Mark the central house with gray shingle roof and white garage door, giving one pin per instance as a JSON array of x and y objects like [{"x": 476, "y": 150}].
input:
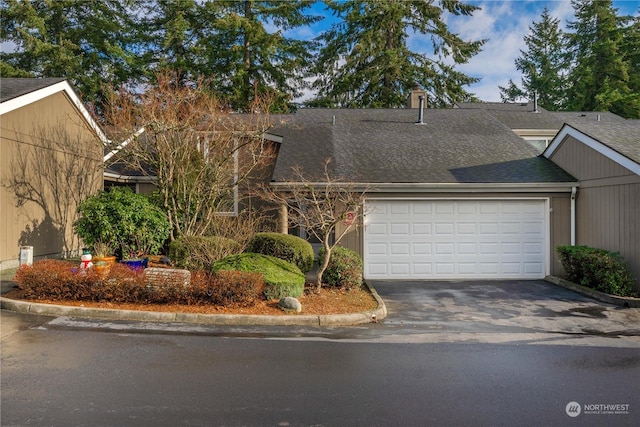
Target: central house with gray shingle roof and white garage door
[{"x": 454, "y": 193}]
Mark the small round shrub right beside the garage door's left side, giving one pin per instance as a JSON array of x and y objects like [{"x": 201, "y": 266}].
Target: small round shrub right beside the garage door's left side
[{"x": 344, "y": 269}]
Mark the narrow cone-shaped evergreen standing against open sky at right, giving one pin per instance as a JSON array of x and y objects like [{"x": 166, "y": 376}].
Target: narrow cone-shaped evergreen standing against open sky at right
[{"x": 542, "y": 65}]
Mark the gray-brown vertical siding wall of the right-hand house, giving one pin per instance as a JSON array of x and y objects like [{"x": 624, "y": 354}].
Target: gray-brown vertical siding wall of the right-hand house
[{"x": 608, "y": 201}]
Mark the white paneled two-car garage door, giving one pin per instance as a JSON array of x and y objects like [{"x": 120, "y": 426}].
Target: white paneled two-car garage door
[{"x": 455, "y": 239}]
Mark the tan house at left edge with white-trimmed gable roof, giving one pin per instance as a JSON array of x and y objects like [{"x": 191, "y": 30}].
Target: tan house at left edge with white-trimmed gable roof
[{"x": 50, "y": 159}]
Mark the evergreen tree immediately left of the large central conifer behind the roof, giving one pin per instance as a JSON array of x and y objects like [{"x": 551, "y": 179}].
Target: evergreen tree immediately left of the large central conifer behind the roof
[{"x": 249, "y": 61}]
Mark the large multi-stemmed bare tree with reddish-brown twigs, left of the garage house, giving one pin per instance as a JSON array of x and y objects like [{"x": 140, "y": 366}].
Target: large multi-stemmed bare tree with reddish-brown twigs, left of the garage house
[{"x": 199, "y": 151}]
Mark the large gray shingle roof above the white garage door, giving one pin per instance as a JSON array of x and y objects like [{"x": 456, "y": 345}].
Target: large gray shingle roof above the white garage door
[{"x": 387, "y": 146}]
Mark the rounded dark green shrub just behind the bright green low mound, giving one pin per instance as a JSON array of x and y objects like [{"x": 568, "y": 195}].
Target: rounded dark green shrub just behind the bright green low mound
[{"x": 284, "y": 246}]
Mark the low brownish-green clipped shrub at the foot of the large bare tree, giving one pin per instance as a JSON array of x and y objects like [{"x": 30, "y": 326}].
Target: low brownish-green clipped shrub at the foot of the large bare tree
[{"x": 200, "y": 252}]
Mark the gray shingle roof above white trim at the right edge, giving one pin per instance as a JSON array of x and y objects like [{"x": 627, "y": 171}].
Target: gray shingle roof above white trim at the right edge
[{"x": 621, "y": 136}]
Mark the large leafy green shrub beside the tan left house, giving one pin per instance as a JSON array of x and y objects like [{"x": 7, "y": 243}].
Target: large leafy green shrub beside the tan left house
[{"x": 122, "y": 219}]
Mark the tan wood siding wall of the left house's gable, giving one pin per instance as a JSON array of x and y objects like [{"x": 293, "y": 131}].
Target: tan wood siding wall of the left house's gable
[{"x": 25, "y": 132}]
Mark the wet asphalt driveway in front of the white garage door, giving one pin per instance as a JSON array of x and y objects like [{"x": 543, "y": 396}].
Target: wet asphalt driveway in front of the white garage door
[{"x": 503, "y": 307}]
